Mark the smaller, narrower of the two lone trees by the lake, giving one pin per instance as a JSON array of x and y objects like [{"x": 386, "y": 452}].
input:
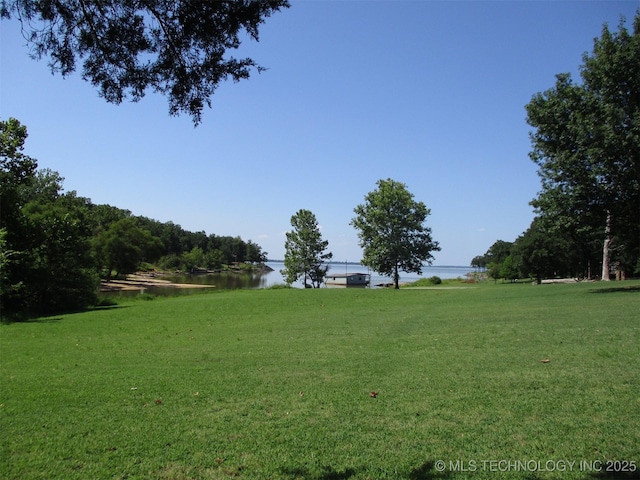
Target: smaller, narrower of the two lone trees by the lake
[{"x": 305, "y": 255}]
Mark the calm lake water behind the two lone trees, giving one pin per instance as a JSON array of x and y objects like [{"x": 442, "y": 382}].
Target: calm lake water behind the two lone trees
[{"x": 226, "y": 281}]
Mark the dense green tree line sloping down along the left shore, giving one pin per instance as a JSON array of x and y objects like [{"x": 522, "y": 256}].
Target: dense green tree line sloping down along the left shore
[{"x": 55, "y": 246}]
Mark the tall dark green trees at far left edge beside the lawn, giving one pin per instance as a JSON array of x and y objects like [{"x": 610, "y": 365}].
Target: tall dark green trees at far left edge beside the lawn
[{"x": 45, "y": 260}]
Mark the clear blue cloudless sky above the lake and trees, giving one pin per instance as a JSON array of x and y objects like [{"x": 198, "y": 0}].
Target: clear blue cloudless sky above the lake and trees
[{"x": 429, "y": 93}]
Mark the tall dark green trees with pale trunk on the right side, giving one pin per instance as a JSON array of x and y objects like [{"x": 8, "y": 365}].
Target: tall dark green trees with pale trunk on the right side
[{"x": 586, "y": 144}]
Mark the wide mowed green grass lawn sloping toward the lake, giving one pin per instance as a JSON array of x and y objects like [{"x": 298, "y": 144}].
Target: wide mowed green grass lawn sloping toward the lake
[{"x": 277, "y": 384}]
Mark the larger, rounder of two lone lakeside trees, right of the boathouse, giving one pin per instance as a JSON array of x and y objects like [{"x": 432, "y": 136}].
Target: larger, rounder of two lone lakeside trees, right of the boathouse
[{"x": 392, "y": 231}]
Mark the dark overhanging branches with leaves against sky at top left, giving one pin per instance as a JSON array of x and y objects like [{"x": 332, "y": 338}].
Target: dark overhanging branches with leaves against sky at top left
[{"x": 178, "y": 49}]
